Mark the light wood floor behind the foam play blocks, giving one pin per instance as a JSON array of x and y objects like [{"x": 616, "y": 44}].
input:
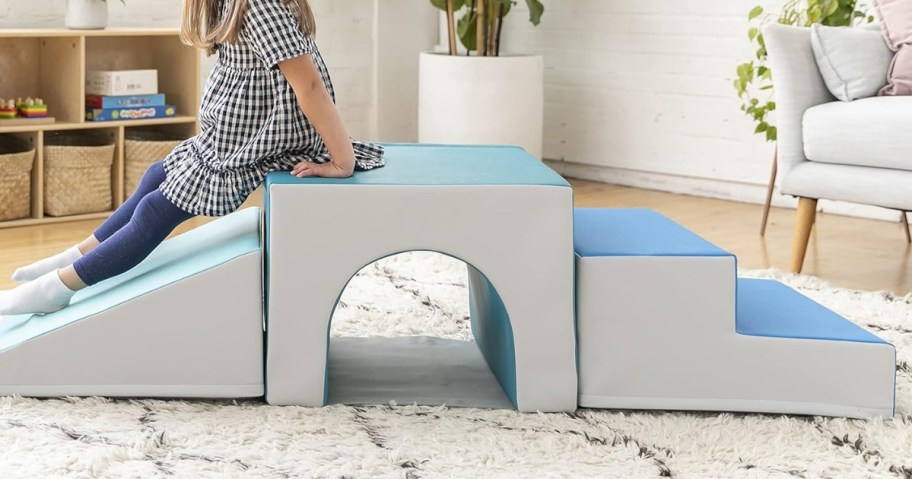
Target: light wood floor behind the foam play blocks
[{"x": 847, "y": 252}]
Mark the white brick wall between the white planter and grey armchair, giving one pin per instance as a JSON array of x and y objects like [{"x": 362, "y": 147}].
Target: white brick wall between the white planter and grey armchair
[{"x": 645, "y": 86}]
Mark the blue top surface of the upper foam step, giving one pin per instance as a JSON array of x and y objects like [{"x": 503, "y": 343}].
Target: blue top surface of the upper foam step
[{"x": 635, "y": 232}]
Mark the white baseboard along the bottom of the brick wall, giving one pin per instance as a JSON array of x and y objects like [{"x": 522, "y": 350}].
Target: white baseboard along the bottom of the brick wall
[{"x": 709, "y": 188}]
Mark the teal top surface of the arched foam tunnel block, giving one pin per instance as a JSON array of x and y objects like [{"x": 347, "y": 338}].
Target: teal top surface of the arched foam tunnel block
[{"x": 413, "y": 164}]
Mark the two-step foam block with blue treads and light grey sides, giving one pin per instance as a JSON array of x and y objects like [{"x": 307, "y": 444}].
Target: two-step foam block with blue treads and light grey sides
[{"x": 660, "y": 327}]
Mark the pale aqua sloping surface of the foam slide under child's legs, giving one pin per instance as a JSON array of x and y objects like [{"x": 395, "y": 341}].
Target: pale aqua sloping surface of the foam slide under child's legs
[{"x": 198, "y": 250}]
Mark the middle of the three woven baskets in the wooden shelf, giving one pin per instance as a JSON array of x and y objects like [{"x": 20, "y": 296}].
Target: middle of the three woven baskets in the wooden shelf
[{"x": 77, "y": 174}]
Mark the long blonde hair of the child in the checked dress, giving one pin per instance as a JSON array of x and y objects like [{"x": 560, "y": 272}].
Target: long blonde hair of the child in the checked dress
[{"x": 204, "y": 26}]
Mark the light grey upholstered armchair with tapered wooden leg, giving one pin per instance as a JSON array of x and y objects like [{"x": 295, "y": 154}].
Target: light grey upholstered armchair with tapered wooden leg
[{"x": 858, "y": 151}]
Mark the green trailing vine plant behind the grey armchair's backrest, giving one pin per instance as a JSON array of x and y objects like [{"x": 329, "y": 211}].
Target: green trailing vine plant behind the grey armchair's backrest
[{"x": 754, "y": 81}]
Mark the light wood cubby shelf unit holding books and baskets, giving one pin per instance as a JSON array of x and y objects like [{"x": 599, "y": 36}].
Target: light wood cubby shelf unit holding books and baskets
[{"x": 52, "y": 63}]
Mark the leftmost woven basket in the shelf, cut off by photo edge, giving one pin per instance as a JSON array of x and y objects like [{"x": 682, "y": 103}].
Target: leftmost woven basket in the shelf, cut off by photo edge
[{"x": 16, "y": 159}]
